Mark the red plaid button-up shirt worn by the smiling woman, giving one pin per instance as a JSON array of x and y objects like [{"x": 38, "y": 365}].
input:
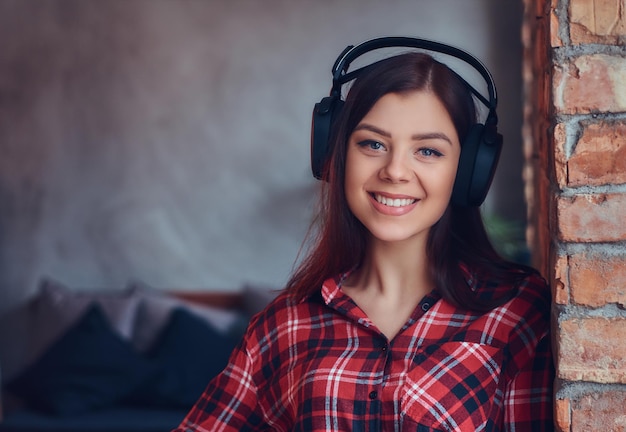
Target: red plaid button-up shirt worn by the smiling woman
[{"x": 322, "y": 365}]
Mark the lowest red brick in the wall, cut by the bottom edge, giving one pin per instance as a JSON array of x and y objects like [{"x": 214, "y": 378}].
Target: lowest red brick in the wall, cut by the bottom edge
[{"x": 604, "y": 411}]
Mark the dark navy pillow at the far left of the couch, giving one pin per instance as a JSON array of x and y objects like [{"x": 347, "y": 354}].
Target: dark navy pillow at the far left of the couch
[{"x": 90, "y": 366}]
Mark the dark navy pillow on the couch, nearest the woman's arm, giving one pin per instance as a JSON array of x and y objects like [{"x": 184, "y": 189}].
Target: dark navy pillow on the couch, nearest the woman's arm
[{"x": 189, "y": 353}]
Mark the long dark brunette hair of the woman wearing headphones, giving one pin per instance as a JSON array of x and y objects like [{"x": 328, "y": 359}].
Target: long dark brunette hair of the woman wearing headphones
[{"x": 458, "y": 239}]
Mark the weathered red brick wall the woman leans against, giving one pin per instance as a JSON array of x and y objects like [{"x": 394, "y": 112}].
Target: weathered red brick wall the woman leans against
[{"x": 575, "y": 149}]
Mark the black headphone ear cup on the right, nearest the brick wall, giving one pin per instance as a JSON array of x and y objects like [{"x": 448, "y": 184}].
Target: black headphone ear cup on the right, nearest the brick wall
[{"x": 480, "y": 153}]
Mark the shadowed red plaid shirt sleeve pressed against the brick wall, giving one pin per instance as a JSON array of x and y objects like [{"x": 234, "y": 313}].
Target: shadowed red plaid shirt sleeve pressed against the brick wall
[{"x": 528, "y": 398}]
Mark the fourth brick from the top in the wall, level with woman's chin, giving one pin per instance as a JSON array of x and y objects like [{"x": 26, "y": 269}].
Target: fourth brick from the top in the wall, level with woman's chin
[{"x": 592, "y": 217}]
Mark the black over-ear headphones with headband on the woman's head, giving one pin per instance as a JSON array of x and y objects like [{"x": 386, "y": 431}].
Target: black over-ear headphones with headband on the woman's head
[{"x": 480, "y": 150}]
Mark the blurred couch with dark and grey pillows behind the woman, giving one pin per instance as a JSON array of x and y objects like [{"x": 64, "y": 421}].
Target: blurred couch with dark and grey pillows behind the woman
[{"x": 128, "y": 360}]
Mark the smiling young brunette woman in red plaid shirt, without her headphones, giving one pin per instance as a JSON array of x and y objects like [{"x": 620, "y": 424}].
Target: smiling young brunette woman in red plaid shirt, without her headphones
[{"x": 402, "y": 317}]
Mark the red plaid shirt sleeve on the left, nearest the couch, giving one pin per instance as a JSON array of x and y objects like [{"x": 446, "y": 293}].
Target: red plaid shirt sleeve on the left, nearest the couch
[{"x": 229, "y": 403}]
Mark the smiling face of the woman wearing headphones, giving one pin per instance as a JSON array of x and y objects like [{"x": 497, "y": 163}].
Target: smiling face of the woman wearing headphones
[{"x": 401, "y": 164}]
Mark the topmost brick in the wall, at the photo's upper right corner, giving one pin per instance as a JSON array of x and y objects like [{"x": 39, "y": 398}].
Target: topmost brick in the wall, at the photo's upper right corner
[{"x": 597, "y": 21}]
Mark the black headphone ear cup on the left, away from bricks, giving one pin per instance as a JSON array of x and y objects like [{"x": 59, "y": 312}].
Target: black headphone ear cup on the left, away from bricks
[{"x": 325, "y": 113}]
